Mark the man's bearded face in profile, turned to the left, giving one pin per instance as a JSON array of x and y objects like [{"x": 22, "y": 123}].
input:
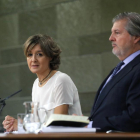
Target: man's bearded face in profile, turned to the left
[{"x": 122, "y": 41}]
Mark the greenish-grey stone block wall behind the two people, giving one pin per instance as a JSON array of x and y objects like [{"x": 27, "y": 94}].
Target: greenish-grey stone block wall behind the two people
[{"x": 80, "y": 27}]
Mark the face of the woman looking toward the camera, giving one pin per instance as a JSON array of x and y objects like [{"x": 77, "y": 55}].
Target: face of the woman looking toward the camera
[{"x": 37, "y": 61}]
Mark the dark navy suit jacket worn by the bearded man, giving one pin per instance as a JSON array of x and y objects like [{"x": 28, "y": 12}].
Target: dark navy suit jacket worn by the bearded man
[{"x": 118, "y": 107}]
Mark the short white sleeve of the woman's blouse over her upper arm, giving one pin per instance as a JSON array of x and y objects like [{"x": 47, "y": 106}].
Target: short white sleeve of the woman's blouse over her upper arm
[{"x": 64, "y": 90}]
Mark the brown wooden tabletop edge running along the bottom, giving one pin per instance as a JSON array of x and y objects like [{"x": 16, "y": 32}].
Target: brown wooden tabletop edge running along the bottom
[{"x": 73, "y": 136}]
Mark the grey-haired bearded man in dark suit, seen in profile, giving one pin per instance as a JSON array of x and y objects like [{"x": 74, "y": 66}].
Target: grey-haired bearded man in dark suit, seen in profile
[{"x": 117, "y": 104}]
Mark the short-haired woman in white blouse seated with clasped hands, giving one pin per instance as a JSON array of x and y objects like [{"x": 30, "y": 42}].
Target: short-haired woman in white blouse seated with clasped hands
[{"x": 54, "y": 90}]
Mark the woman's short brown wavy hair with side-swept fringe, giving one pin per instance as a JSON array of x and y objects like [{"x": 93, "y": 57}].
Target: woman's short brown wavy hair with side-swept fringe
[{"x": 48, "y": 46}]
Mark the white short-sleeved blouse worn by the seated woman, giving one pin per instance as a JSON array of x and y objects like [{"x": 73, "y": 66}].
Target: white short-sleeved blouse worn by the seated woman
[{"x": 58, "y": 90}]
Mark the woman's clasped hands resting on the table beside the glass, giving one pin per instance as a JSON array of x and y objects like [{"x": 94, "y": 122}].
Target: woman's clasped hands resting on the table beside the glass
[{"x": 10, "y": 124}]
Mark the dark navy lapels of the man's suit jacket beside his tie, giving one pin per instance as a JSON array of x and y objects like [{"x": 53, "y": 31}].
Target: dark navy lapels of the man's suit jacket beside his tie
[{"x": 114, "y": 81}]
